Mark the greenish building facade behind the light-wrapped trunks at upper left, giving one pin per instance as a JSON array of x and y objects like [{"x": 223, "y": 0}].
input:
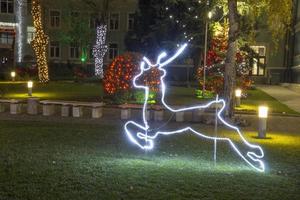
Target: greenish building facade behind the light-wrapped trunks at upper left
[{"x": 17, "y": 31}]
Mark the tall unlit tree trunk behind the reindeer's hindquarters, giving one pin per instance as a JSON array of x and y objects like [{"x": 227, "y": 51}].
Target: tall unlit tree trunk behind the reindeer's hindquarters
[{"x": 230, "y": 68}]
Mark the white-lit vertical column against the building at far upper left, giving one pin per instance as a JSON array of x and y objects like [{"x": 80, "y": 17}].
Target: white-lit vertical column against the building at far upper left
[{"x": 20, "y": 6}]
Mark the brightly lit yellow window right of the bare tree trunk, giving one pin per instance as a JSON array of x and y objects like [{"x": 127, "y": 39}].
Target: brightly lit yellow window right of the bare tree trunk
[{"x": 258, "y": 62}]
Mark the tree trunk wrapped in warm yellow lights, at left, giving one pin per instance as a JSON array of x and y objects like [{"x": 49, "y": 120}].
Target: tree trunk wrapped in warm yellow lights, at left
[{"x": 40, "y": 42}]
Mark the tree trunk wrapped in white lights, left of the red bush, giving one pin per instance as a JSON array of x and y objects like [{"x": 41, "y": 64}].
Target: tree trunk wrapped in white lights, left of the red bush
[{"x": 100, "y": 49}]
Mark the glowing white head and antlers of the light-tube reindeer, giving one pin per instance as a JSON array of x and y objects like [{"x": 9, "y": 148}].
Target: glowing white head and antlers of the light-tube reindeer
[{"x": 146, "y": 66}]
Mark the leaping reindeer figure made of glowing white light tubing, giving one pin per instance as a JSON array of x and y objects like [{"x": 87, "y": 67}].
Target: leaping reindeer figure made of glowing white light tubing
[{"x": 143, "y": 135}]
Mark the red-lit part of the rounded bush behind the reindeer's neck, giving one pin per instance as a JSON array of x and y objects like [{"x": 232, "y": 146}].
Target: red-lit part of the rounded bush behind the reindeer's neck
[{"x": 119, "y": 75}]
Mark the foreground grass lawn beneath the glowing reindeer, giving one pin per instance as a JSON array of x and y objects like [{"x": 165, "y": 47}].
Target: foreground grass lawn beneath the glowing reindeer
[{"x": 47, "y": 160}]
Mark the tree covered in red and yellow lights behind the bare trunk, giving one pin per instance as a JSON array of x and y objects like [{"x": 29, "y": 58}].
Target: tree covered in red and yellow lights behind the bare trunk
[{"x": 215, "y": 68}]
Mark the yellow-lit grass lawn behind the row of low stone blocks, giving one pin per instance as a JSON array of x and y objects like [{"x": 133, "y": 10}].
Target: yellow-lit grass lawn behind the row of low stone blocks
[{"x": 94, "y": 92}]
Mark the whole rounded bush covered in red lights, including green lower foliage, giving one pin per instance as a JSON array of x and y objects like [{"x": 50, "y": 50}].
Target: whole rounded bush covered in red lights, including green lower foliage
[{"x": 118, "y": 78}]
